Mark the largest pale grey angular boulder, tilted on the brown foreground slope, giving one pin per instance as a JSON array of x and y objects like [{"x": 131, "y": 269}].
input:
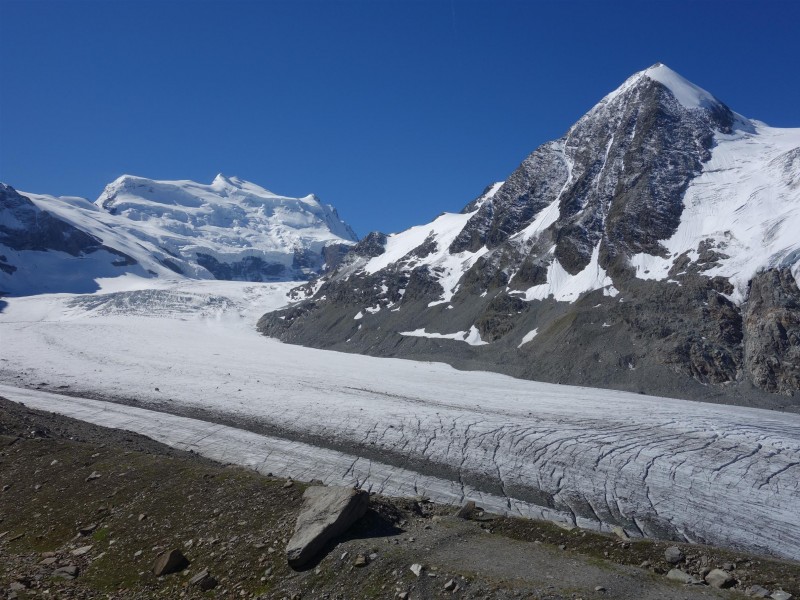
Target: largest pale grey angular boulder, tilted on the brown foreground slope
[{"x": 326, "y": 513}]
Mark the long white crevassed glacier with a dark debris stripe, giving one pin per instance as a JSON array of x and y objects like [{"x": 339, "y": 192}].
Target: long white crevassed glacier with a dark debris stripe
[{"x": 596, "y": 458}]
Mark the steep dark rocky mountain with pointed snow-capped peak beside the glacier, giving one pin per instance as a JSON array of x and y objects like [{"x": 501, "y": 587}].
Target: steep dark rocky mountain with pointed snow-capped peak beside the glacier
[{"x": 653, "y": 248}]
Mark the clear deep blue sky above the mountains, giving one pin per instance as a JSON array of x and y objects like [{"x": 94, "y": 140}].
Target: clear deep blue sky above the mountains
[{"x": 391, "y": 111}]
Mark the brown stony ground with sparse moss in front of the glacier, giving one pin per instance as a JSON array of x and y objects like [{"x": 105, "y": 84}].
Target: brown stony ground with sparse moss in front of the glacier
[{"x": 67, "y": 485}]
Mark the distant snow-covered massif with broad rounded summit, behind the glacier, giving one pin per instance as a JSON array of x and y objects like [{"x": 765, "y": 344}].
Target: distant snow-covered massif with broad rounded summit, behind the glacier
[{"x": 230, "y": 229}]
